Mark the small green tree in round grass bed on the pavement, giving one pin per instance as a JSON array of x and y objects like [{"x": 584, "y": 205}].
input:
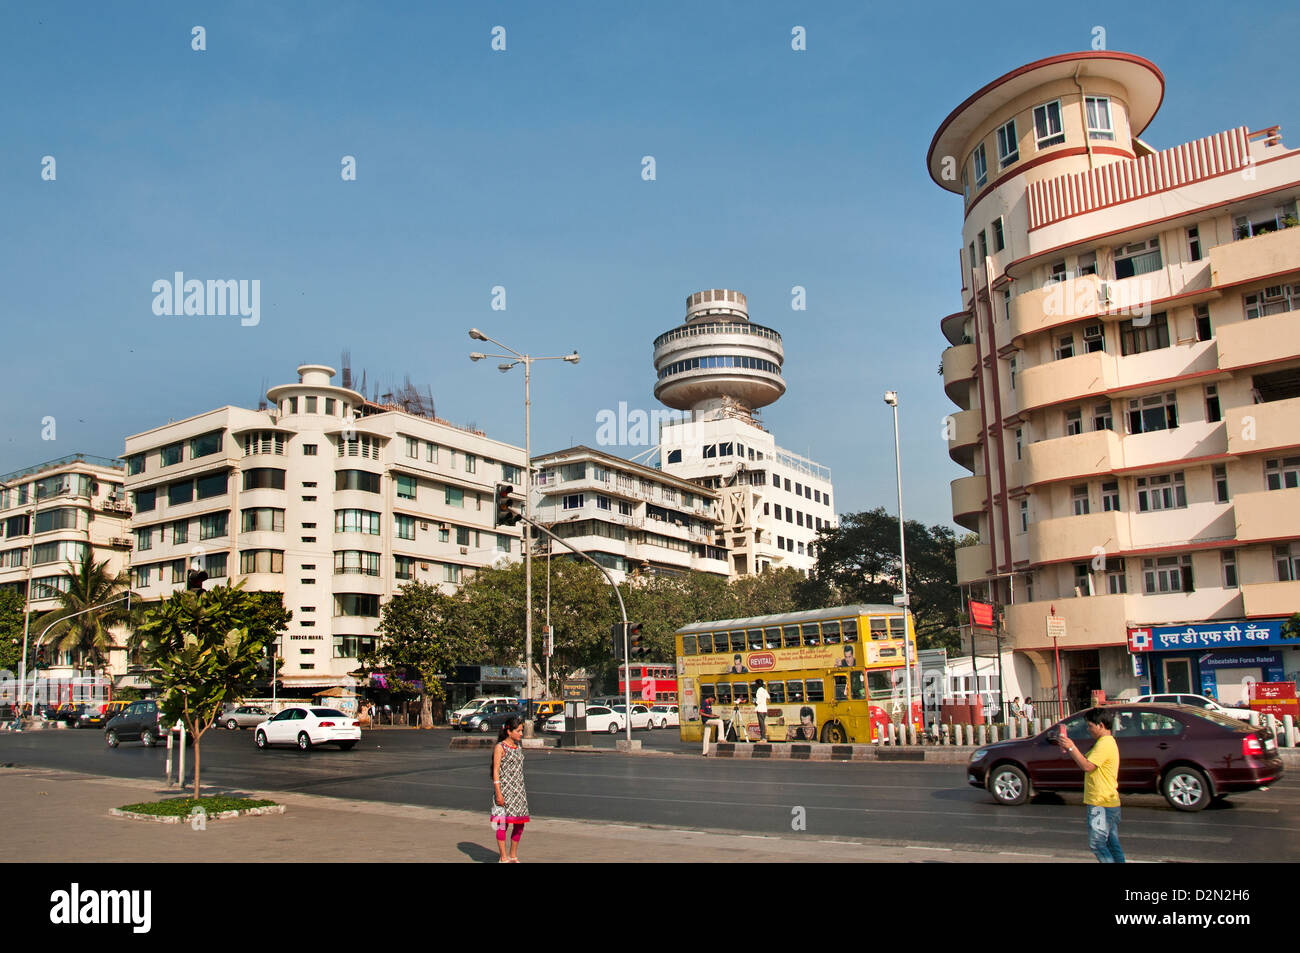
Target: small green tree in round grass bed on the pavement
[{"x": 209, "y": 648}]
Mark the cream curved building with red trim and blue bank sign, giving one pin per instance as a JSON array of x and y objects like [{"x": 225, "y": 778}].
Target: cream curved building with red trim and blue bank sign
[{"x": 1126, "y": 371}]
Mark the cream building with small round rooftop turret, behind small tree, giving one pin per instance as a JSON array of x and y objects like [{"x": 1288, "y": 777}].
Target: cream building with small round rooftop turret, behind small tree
[{"x": 330, "y": 499}]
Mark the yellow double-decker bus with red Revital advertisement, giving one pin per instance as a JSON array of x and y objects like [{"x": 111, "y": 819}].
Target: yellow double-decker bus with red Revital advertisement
[{"x": 833, "y": 675}]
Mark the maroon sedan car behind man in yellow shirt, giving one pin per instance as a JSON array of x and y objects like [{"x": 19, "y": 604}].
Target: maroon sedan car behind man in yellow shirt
[{"x": 1190, "y": 756}]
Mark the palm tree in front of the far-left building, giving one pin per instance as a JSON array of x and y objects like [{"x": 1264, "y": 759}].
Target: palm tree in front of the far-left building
[{"x": 88, "y": 635}]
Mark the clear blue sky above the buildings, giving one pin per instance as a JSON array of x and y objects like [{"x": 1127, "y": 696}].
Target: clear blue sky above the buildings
[{"x": 523, "y": 170}]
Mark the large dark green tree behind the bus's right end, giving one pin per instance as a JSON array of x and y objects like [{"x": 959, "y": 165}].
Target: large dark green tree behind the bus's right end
[{"x": 859, "y": 562}]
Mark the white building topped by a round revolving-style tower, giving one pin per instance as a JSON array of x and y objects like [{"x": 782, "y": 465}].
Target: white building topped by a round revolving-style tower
[{"x": 721, "y": 367}]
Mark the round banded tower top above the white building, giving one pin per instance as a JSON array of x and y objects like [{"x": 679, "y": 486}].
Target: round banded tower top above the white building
[{"x": 718, "y": 357}]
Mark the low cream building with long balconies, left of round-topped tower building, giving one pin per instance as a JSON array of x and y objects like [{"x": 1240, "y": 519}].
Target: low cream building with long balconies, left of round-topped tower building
[{"x": 626, "y": 517}]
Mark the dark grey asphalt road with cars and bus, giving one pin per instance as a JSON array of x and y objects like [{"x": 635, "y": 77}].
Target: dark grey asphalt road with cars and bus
[{"x": 929, "y": 807}]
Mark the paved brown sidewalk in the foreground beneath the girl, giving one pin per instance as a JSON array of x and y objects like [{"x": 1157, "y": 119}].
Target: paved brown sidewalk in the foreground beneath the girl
[{"x": 67, "y": 821}]
